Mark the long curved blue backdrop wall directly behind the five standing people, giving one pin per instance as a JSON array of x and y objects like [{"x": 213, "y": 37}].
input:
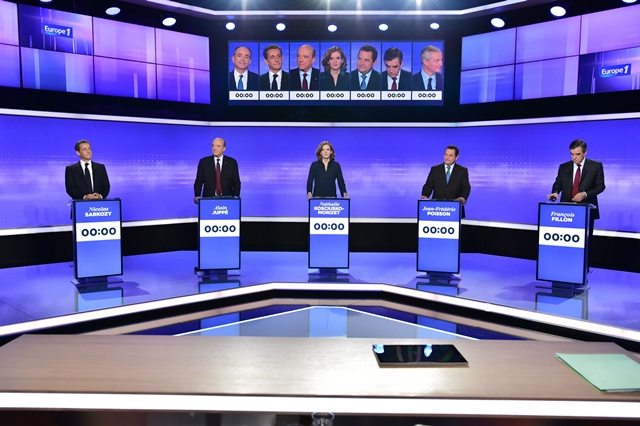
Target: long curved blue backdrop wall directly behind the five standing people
[{"x": 32, "y": 190}]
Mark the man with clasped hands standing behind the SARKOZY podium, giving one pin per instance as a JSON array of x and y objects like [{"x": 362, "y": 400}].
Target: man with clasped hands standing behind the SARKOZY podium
[{"x": 86, "y": 179}]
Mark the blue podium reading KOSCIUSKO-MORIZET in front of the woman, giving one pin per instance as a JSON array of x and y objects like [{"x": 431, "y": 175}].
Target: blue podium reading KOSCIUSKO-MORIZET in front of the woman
[{"x": 329, "y": 234}]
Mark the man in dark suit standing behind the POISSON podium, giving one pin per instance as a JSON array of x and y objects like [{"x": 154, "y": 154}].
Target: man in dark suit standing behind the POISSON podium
[{"x": 448, "y": 180}]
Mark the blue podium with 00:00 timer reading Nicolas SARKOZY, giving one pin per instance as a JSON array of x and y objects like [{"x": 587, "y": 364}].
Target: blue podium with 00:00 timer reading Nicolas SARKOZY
[{"x": 97, "y": 245}]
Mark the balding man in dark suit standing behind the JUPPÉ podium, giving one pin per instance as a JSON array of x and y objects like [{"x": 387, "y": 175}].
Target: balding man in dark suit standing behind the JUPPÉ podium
[{"x": 218, "y": 173}]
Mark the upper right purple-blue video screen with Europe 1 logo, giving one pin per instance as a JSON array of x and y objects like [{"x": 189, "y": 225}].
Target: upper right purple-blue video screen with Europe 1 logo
[{"x": 587, "y": 54}]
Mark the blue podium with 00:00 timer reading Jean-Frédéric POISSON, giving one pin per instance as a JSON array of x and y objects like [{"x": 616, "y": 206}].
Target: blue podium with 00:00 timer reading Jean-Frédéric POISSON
[{"x": 439, "y": 237}]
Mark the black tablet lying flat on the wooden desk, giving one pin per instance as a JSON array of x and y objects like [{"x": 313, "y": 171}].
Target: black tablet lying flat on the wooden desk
[{"x": 418, "y": 355}]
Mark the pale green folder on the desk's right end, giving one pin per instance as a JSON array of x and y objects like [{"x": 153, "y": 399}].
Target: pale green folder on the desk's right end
[{"x": 606, "y": 372}]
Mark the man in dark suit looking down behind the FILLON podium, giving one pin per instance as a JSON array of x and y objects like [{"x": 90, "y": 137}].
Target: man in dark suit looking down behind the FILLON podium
[{"x": 590, "y": 180}]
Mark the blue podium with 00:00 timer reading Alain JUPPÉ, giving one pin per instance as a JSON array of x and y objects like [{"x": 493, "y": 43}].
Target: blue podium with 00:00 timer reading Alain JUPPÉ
[{"x": 218, "y": 235}]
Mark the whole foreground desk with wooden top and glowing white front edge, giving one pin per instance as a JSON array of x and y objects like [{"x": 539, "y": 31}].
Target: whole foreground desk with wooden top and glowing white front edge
[{"x": 505, "y": 380}]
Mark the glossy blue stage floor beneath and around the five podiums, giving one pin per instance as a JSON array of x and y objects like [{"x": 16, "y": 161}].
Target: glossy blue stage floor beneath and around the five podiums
[{"x": 37, "y": 292}]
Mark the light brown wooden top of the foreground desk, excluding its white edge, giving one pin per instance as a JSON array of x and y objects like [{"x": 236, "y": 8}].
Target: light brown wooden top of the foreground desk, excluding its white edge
[{"x": 291, "y": 367}]
